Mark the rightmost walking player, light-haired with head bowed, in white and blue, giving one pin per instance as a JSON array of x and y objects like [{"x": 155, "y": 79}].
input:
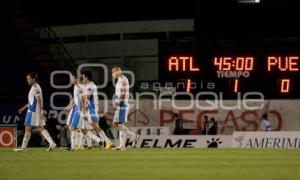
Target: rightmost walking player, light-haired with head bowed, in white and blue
[{"x": 121, "y": 107}]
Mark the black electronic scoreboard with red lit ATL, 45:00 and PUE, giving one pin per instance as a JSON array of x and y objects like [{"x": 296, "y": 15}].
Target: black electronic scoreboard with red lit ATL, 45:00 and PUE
[{"x": 232, "y": 67}]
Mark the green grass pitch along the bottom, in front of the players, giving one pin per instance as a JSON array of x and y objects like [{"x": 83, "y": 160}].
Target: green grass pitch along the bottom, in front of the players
[{"x": 144, "y": 164}]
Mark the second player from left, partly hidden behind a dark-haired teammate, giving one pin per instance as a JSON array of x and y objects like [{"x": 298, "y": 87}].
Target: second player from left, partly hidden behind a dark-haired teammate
[{"x": 77, "y": 108}]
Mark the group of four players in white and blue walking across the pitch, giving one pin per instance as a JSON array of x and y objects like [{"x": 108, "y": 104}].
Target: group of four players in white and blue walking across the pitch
[{"x": 83, "y": 111}]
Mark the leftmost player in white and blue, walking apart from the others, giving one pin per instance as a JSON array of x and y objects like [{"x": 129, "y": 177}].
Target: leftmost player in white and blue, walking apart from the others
[{"x": 34, "y": 115}]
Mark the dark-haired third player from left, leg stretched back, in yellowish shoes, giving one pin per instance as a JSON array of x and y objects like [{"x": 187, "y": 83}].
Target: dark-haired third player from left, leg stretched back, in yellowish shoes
[{"x": 91, "y": 97}]
